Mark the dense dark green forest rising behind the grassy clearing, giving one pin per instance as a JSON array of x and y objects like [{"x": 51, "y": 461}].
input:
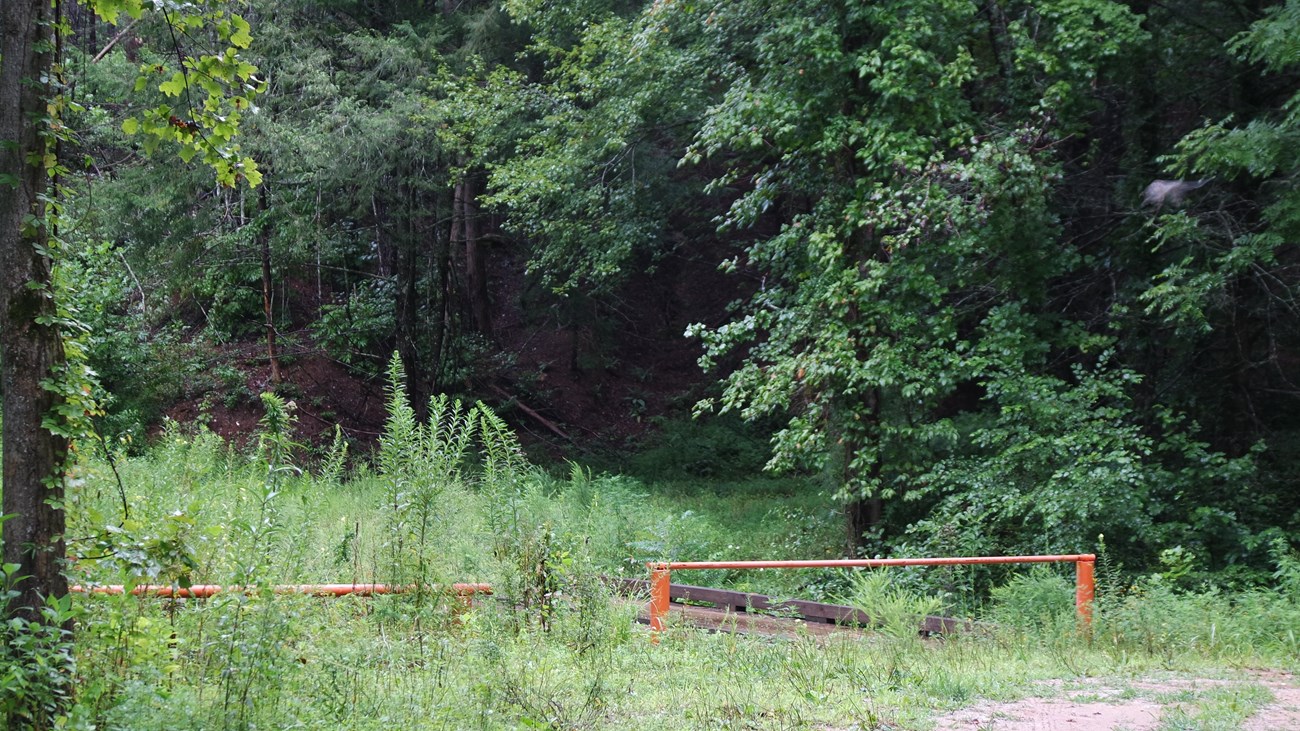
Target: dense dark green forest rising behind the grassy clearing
[{"x": 1004, "y": 276}]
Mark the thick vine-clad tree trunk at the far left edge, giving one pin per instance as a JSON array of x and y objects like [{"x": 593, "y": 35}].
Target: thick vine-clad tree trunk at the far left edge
[{"x": 29, "y": 349}]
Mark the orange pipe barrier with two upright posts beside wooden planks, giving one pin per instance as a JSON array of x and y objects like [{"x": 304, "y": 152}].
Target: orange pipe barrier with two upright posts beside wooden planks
[{"x": 661, "y": 576}]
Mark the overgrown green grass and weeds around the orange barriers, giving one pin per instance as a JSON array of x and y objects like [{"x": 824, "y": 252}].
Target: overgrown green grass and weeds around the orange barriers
[{"x": 554, "y": 648}]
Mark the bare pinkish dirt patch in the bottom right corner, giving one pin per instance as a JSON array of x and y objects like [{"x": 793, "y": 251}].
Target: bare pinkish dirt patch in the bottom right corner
[{"x": 1139, "y": 707}]
